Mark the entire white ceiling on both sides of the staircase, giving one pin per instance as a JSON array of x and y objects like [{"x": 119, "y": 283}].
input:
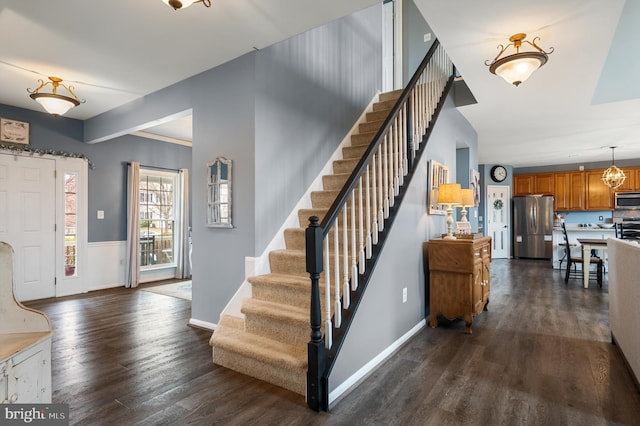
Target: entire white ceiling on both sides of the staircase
[{"x": 584, "y": 100}]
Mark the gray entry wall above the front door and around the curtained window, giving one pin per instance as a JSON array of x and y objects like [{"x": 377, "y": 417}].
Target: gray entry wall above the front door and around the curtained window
[{"x": 107, "y": 179}]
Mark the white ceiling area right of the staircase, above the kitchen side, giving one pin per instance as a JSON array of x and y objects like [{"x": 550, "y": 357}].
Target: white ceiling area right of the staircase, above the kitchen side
[{"x": 584, "y": 100}]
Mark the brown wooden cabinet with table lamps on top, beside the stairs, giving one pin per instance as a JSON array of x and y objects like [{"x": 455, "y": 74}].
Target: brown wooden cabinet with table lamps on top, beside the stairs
[{"x": 459, "y": 278}]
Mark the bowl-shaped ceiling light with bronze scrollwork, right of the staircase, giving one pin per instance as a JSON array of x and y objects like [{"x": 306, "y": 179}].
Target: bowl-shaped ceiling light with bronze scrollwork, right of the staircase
[{"x": 519, "y": 66}]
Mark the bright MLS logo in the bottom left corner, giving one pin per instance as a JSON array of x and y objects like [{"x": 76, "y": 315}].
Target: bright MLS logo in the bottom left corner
[{"x": 35, "y": 414}]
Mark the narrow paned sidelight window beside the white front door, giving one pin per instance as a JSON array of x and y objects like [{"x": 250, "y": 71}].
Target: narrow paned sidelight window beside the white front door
[{"x": 70, "y": 224}]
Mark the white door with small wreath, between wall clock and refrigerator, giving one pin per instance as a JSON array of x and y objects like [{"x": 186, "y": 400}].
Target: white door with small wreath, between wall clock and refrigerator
[{"x": 498, "y": 213}]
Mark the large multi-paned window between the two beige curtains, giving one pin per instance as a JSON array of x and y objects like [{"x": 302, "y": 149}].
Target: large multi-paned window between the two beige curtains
[{"x": 158, "y": 216}]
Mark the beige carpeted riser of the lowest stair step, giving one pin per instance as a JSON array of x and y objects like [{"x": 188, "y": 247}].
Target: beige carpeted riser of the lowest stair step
[{"x": 295, "y": 381}]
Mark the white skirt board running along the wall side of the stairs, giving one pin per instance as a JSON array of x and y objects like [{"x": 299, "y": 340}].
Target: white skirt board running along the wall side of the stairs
[{"x": 259, "y": 265}]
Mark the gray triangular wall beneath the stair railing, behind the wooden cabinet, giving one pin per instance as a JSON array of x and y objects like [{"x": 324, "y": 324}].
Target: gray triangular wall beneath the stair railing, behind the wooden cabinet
[{"x": 401, "y": 263}]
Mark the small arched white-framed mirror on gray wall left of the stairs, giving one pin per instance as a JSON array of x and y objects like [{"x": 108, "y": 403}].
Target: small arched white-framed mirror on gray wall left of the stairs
[{"x": 219, "y": 180}]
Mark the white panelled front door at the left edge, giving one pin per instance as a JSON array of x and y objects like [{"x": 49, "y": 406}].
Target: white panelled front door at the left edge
[{"x": 27, "y": 222}]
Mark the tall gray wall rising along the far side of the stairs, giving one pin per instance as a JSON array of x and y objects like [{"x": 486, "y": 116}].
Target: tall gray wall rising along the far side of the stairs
[{"x": 310, "y": 90}]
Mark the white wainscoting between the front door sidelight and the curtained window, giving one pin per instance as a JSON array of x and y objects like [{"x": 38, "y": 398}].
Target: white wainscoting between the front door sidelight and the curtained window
[{"x": 106, "y": 265}]
